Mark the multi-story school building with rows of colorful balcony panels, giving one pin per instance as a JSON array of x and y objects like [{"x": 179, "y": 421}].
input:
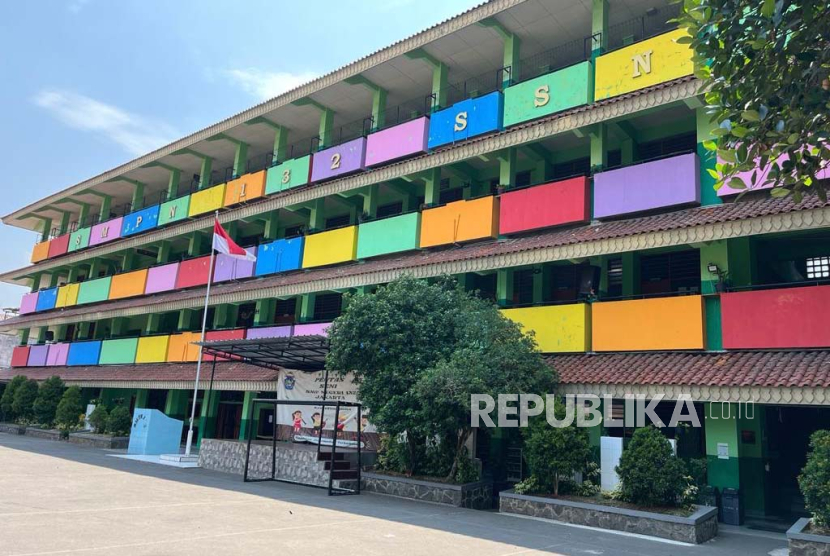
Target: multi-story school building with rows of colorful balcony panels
[{"x": 547, "y": 153}]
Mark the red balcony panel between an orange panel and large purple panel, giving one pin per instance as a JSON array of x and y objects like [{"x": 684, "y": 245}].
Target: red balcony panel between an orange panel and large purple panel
[{"x": 542, "y": 206}]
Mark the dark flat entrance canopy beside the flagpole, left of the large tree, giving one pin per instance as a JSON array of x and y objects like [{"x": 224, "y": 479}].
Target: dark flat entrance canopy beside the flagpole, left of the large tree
[{"x": 302, "y": 353}]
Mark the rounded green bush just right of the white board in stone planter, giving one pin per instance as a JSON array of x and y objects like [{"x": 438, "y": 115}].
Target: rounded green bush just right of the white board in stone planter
[{"x": 650, "y": 474}]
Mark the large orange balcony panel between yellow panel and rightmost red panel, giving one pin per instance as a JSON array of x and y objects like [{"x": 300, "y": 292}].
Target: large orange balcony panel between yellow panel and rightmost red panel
[{"x": 648, "y": 324}]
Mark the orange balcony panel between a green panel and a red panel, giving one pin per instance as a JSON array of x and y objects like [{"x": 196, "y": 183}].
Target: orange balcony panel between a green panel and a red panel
[{"x": 460, "y": 221}]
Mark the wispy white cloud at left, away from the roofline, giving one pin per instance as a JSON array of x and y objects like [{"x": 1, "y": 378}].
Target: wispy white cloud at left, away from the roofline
[{"x": 135, "y": 134}]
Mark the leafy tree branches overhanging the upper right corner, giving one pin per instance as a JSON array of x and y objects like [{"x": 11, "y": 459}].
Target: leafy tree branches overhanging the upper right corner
[{"x": 766, "y": 71}]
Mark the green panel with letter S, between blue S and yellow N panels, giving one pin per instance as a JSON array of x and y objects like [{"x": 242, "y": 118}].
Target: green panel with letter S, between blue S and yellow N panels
[{"x": 548, "y": 94}]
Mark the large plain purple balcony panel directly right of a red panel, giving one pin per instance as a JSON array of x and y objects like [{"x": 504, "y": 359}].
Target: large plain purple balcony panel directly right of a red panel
[{"x": 651, "y": 185}]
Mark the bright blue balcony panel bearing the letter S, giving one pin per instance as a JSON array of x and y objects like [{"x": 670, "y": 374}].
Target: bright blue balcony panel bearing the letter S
[{"x": 482, "y": 115}]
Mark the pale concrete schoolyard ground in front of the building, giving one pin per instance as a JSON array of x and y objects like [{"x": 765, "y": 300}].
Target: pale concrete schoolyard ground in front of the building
[{"x": 57, "y": 498}]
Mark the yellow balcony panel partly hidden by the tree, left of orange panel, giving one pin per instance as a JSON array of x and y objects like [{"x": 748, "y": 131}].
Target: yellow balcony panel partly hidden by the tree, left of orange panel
[{"x": 558, "y": 328}]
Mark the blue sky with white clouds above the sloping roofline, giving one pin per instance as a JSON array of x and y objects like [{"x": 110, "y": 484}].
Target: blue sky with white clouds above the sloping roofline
[{"x": 90, "y": 84}]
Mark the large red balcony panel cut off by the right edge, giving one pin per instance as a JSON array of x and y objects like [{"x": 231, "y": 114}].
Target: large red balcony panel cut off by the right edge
[{"x": 780, "y": 318}]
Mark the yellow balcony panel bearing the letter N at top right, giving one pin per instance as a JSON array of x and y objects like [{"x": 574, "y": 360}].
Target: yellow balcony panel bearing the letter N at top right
[{"x": 643, "y": 64}]
